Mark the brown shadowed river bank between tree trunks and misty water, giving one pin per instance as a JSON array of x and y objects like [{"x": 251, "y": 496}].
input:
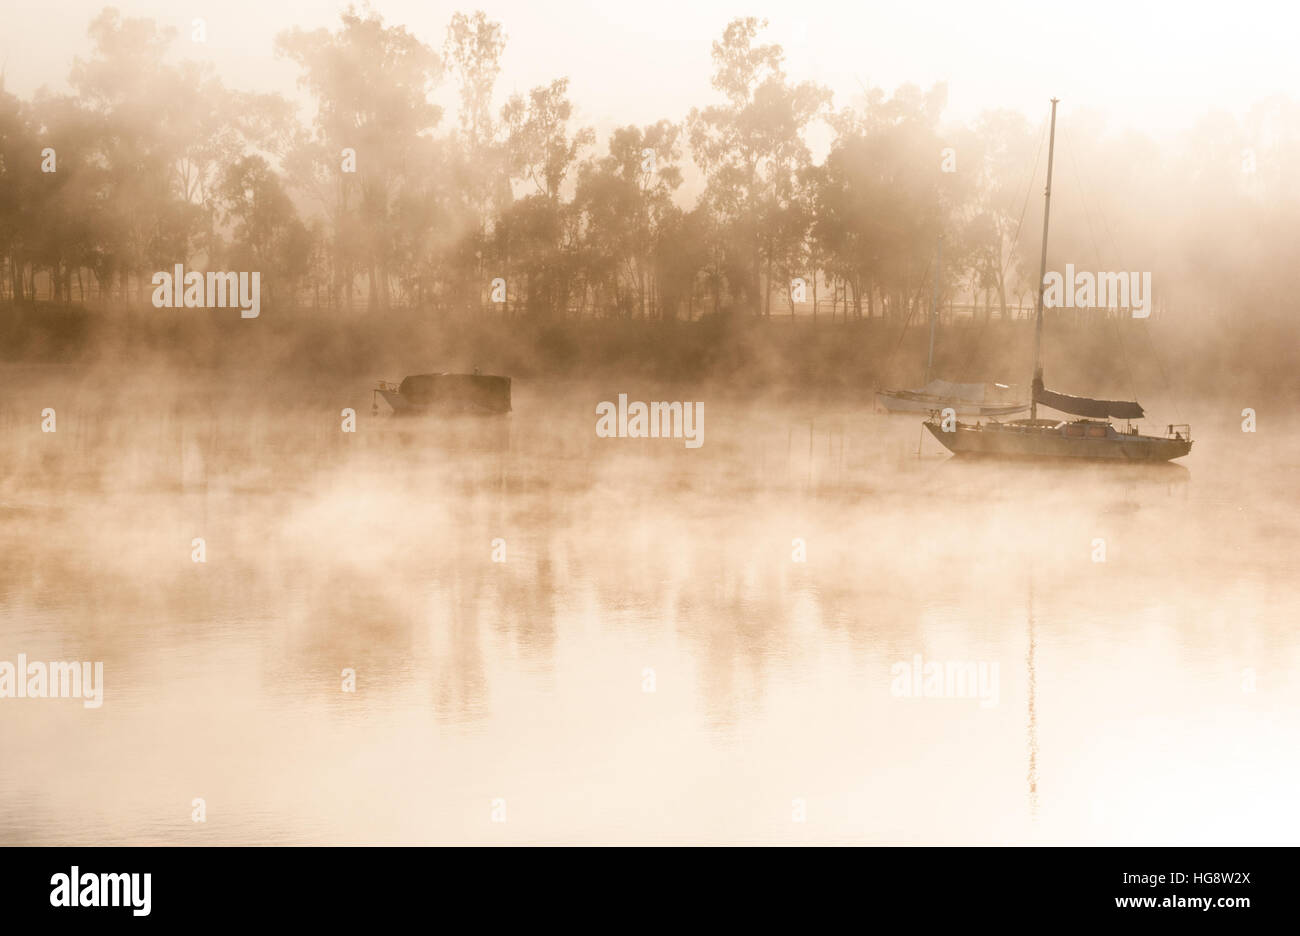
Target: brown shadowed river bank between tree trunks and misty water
[{"x": 744, "y": 356}]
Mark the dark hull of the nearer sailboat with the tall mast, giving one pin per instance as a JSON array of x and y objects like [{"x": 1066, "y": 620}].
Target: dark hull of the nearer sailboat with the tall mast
[{"x": 1050, "y": 441}]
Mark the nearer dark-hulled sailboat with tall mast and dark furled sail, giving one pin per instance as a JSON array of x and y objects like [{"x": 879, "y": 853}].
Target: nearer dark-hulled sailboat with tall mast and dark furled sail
[{"x": 1091, "y": 437}]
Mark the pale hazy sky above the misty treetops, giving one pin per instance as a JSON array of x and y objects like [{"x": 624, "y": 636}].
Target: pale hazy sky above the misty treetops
[{"x": 1156, "y": 66}]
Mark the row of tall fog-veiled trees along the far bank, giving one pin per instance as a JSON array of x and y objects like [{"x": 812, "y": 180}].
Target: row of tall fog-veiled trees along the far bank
[{"x": 380, "y": 201}]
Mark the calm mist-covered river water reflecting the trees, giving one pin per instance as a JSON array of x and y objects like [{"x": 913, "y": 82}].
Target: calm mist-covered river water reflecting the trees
[{"x": 1141, "y": 699}]
